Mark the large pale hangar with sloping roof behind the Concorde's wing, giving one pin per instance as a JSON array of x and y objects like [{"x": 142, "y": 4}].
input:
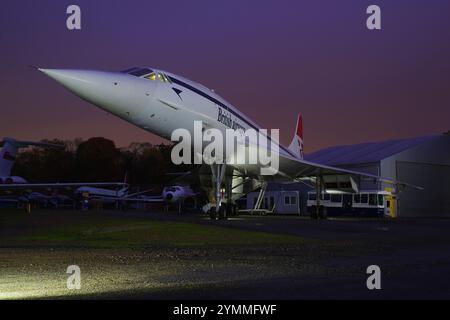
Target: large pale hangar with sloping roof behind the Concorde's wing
[{"x": 422, "y": 161}]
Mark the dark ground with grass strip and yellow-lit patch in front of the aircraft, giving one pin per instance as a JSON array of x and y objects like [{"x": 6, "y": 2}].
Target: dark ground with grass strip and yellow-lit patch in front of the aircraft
[{"x": 157, "y": 255}]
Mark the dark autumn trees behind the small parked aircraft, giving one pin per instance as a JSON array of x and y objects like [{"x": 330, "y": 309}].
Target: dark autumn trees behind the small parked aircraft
[{"x": 96, "y": 159}]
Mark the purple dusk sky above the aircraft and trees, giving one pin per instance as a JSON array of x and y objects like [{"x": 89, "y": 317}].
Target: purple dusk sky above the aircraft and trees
[{"x": 271, "y": 59}]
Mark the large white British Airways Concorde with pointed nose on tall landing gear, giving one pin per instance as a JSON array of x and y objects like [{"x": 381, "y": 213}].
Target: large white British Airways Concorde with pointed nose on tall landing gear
[{"x": 161, "y": 102}]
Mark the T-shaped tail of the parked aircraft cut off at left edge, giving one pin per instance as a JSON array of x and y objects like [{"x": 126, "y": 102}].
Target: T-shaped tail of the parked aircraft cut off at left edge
[{"x": 9, "y": 152}]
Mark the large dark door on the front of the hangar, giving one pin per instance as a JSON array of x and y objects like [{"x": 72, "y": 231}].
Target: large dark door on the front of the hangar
[{"x": 434, "y": 200}]
